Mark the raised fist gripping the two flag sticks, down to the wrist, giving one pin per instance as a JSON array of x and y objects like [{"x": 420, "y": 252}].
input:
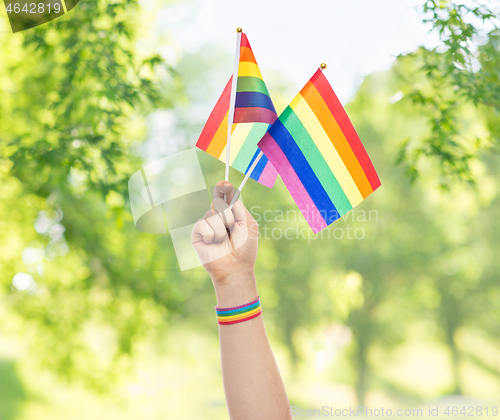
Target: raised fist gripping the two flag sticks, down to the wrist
[{"x": 226, "y": 239}]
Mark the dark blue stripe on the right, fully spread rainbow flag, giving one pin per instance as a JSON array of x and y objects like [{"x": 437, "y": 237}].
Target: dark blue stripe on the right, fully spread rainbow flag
[{"x": 304, "y": 171}]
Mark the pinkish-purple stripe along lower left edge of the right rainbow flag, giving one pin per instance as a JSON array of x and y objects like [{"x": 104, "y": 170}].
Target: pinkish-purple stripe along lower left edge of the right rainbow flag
[{"x": 306, "y": 205}]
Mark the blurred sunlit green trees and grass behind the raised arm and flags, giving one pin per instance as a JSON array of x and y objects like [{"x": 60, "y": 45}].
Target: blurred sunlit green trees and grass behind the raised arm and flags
[{"x": 97, "y": 321}]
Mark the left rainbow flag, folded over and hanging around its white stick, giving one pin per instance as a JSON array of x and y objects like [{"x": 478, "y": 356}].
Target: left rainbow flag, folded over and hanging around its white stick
[{"x": 254, "y": 113}]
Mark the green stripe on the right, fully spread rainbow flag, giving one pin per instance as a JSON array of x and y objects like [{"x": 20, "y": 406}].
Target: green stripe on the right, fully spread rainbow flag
[{"x": 314, "y": 157}]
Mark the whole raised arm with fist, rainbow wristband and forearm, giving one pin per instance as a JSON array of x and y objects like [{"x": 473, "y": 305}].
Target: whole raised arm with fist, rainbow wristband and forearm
[{"x": 226, "y": 241}]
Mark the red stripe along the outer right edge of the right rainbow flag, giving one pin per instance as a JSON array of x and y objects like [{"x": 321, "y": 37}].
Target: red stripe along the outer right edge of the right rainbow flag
[{"x": 321, "y": 83}]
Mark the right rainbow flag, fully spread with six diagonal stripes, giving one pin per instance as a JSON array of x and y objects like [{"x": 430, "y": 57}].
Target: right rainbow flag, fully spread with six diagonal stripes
[{"x": 318, "y": 154}]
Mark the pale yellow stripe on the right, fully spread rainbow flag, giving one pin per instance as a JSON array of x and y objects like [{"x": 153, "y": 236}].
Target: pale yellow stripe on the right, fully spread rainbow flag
[{"x": 327, "y": 149}]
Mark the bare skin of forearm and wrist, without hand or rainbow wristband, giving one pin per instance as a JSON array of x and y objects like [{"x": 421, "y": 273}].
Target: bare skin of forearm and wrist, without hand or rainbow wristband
[{"x": 252, "y": 382}]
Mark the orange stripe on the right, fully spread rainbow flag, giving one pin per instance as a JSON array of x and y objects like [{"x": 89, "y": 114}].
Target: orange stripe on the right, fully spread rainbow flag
[{"x": 337, "y": 137}]
